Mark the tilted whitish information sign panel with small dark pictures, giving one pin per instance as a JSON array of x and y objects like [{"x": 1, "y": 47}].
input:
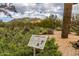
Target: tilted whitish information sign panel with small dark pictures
[{"x": 38, "y": 41}]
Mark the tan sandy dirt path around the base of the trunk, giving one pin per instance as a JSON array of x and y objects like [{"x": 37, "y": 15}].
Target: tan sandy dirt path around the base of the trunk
[{"x": 64, "y": 44}]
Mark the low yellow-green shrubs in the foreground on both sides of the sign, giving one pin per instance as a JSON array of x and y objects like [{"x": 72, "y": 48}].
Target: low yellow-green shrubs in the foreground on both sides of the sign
[{"x": 14, "y": 43}]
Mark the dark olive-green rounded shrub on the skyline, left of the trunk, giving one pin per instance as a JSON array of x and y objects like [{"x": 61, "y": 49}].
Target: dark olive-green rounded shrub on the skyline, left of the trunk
[{"x": 50, "y": 23}]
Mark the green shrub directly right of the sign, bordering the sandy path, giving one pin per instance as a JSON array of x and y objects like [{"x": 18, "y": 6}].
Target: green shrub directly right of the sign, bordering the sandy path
[{"x": 51, "y": 49}]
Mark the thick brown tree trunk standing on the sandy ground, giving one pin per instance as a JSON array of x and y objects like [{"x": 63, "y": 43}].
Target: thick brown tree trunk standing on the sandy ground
[{"x": 66, "y": 20}]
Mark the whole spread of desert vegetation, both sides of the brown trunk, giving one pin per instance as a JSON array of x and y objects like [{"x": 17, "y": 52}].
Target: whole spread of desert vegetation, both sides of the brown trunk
[{"x": 15, "y": 35}]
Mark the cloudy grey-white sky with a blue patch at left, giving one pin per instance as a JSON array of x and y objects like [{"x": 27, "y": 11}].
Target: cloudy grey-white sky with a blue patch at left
[{"x": 40, "y": 10}]
